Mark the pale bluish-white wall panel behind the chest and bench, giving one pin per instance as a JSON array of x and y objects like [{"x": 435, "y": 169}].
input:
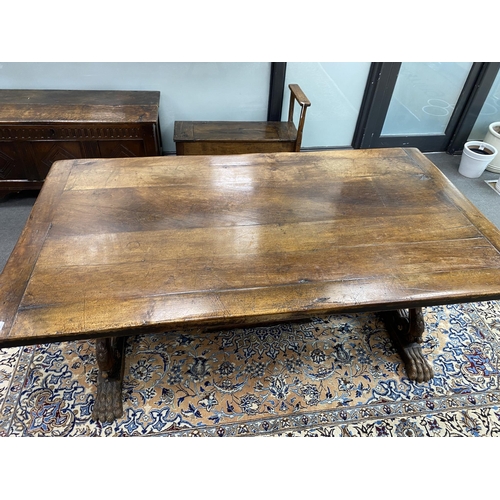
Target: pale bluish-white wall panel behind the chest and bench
[{"x": 188, "y": 91}]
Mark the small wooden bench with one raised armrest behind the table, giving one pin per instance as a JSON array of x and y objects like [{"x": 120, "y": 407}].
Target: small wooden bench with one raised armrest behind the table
[{"x": 229, "y": 137}]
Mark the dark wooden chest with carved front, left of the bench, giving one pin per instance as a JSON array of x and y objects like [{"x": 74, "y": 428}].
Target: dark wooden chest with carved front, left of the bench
[{"x": 38, "y": 127}]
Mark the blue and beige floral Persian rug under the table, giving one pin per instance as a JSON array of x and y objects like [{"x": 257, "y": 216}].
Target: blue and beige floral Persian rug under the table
[{"x": 336, "y": 375}]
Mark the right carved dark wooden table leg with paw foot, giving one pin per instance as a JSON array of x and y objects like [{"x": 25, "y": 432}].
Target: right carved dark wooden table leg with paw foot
[{"x": 405, "y": 329}]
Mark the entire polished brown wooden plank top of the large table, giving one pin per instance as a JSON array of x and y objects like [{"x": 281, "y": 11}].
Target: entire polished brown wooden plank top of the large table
[{"x": 125, "y": 246}]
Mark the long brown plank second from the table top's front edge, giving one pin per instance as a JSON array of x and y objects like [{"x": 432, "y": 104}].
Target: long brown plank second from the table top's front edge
[{"x": 220, "y": 272}]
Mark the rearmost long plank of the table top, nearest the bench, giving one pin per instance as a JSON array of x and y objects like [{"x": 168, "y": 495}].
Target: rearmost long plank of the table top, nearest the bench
[{"x": 227, "y": 170}]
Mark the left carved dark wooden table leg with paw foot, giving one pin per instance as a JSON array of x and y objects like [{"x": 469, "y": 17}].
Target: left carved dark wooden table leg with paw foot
[{"x": 108, "y": 403}]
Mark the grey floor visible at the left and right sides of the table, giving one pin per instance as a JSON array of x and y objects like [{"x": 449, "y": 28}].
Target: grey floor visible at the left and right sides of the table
[{"x": 15, "y": 208}]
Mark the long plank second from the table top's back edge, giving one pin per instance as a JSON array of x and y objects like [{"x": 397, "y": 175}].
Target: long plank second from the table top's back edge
[{"x": 153, "y": 208}]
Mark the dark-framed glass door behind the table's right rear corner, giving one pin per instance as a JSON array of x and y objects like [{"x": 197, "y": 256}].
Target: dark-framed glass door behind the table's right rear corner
[{"x": 415, "y": 104}]
